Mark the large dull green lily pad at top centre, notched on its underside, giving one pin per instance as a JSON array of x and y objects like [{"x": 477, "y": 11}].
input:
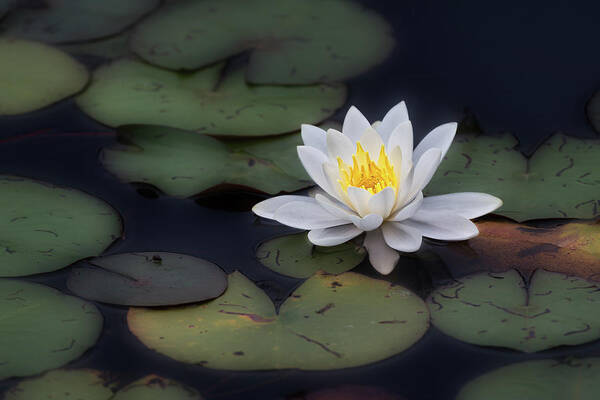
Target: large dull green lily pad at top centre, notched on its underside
[{"x": 290, "y": 42}]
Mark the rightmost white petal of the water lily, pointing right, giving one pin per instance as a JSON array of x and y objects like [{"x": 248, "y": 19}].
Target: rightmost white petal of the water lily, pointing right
[{"x": 467, "y": 204}]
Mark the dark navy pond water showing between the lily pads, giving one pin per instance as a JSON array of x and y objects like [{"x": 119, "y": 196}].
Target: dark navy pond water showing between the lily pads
[{"x": 526, "y": 70}]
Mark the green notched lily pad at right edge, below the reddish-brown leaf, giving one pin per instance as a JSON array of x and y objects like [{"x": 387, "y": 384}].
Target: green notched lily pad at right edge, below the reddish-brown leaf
[{"x": 498, "y": 309}]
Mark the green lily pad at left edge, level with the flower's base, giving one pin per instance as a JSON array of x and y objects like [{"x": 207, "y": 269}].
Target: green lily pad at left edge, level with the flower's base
[{"x": 44, "y": 227}]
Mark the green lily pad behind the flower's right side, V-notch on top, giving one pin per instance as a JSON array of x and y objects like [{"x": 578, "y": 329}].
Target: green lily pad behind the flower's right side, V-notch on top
[{"x": 561, "y": 180}]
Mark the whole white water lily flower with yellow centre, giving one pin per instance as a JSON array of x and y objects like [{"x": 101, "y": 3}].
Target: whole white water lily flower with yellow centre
[{"x": 371, "y": 180}]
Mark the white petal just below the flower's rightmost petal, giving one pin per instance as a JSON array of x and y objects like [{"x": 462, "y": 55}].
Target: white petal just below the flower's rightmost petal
[{"x": 442, "y": 225}]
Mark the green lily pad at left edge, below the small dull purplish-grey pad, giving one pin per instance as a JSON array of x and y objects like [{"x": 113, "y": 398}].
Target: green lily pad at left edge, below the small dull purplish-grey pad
[{"x": 41, "y": 328}]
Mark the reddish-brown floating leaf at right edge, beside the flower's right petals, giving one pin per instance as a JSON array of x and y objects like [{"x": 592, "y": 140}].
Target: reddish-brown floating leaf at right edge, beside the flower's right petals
[{"x": 572, "y": 248}]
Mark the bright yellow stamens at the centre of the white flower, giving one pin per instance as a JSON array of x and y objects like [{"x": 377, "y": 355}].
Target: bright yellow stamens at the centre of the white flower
[{"x": 366, "y": 173}]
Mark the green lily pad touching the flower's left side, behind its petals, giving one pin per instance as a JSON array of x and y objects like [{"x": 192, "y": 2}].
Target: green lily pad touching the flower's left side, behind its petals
[{"x": 182, "y": 163}]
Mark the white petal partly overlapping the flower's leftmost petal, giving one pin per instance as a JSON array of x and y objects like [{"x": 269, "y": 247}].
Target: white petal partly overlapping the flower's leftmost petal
[{"x": 306, "y": 215}]
